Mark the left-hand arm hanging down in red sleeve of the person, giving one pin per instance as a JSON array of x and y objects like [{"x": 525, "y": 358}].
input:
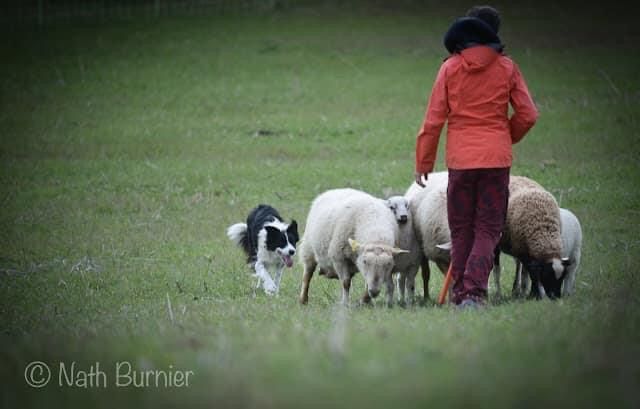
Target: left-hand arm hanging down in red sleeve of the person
[{"x": 434, "y": 119}]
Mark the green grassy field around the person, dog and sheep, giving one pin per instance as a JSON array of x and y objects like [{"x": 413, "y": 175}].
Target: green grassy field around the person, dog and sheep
[{"x": 128, "y": 147}]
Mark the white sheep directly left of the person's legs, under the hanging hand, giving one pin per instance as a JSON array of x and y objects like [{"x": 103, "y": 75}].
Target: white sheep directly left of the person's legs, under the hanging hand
[{"x": 431, "y": 226}]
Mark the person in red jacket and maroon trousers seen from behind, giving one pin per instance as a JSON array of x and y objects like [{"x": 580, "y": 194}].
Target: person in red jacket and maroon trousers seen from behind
[{"x": 472, "y": 93}]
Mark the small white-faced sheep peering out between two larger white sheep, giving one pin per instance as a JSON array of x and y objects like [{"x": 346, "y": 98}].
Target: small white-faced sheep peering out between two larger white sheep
[{"x": 406, "y": 264}]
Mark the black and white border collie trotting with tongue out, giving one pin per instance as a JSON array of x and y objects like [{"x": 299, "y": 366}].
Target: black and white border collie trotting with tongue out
[{"x": 269, "y": 243}]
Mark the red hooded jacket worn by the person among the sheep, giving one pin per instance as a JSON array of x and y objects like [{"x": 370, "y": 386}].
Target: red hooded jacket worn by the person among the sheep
[{"x": 472, "y": 92}]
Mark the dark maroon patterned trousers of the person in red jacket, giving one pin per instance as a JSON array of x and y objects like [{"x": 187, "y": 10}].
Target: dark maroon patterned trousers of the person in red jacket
[{"x": 477, "y": 208}]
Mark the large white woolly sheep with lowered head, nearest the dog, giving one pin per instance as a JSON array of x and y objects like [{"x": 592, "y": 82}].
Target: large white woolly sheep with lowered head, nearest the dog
[{"x": 349, "y": 231}]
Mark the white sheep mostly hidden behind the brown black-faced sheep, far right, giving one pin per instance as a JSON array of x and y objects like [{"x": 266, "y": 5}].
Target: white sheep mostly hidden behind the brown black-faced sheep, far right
[{"x": 571, "y": 250}]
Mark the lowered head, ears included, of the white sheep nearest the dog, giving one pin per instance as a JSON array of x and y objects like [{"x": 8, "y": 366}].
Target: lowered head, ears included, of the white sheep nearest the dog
[{"x": 375, "y": 262}]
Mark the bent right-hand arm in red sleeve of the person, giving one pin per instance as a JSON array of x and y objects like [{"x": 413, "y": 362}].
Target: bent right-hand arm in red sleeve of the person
[{"x": 525, "y": 111}]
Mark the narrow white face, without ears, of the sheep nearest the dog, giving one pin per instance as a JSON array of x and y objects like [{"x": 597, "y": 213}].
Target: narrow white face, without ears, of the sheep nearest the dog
[{"x": 375, "y": 263}]
